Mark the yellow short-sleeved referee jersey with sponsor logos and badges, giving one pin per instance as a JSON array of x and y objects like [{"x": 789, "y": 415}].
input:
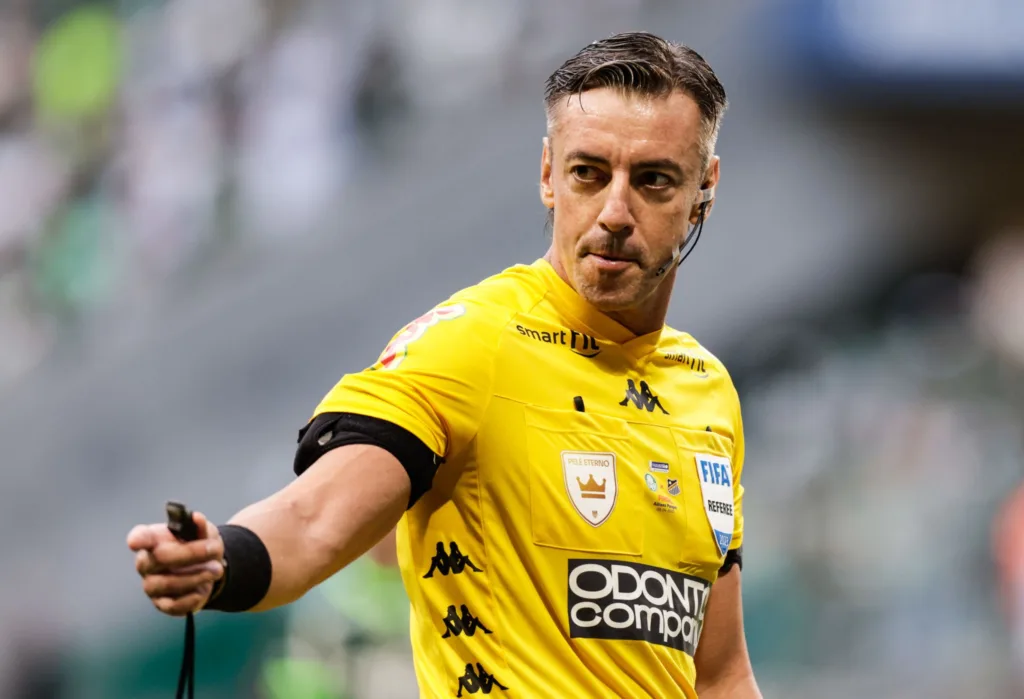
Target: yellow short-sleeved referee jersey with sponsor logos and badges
[{"x": 589, "y": 494}]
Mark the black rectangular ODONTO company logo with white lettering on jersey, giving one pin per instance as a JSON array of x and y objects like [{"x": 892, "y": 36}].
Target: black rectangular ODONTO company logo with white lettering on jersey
[{"x": 620, "y": 601}]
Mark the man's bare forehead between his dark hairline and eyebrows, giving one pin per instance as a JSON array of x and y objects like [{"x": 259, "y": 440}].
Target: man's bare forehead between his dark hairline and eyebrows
[{"x": 616, "y": 125}]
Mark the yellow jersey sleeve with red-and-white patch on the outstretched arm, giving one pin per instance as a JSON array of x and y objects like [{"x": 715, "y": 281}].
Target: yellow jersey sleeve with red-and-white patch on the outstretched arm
[{"x": 434, "y": 379}]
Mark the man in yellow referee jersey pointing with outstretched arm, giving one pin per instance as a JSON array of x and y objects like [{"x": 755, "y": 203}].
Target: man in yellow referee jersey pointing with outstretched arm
[{"x": 569, "y": 467}]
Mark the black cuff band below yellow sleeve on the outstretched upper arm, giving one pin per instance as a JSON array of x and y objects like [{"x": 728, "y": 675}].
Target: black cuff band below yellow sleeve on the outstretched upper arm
[{"x": 331, "y": 430}]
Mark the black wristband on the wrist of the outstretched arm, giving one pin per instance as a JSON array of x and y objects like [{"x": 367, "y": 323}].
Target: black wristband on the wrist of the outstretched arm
[{"x": 247, "y": 572}]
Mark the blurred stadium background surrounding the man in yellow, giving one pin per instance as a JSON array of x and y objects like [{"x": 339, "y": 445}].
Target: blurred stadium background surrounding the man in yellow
[{"x": 209, "y": 211}]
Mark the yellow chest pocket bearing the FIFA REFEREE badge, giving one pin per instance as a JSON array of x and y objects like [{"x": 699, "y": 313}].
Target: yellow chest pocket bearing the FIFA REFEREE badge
[{"x": 706, "y": 468}]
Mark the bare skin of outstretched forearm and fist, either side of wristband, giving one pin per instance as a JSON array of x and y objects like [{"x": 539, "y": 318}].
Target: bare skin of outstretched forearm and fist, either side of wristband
[{"x": 346, "y": 503}]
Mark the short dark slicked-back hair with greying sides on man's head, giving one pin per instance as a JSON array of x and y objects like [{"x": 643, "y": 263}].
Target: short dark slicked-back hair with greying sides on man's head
[{"x": 644, "y": 64}]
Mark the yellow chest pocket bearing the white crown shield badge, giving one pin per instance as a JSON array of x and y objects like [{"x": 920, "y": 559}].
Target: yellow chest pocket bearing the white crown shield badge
[{"x": 580, "y": 499}]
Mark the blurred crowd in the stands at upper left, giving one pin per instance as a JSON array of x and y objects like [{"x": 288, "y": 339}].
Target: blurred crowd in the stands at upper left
[{"x": 139, "y": 139}]
